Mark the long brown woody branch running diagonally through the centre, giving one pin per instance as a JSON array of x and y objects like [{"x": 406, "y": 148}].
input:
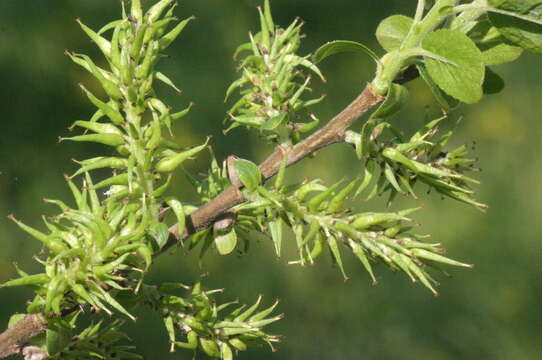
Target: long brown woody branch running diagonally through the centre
[{"x": 333, "y": 132}]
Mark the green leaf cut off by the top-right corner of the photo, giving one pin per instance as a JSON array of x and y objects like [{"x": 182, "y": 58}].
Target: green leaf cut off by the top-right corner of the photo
[{"x": 521, "y": 32}]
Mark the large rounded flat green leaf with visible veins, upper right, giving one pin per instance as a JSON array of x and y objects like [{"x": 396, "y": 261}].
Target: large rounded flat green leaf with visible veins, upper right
[{"x": 464, "y": 80}]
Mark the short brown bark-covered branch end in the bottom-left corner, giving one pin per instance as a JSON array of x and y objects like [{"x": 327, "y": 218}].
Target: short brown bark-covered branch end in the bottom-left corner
[{"x": 13, "y": 340}]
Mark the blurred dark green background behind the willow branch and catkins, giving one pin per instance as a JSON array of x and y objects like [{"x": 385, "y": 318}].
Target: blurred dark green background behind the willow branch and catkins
[{"x": 490, "y": 312}]
